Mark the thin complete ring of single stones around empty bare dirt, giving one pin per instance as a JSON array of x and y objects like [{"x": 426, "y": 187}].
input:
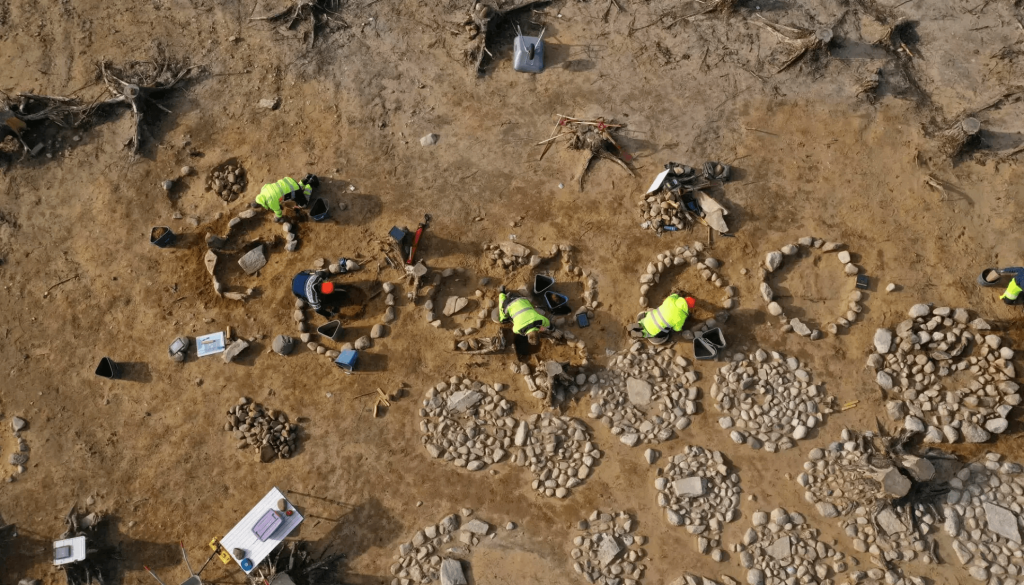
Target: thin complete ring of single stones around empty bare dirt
[{"x": 774, "y": 261}]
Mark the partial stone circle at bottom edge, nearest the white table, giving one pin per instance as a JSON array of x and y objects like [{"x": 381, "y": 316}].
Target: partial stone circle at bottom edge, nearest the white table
[{"x": 439, "y": 552}]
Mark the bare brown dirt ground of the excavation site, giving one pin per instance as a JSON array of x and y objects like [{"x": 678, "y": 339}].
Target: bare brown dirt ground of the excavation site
[{"x": 810, "y": 156}]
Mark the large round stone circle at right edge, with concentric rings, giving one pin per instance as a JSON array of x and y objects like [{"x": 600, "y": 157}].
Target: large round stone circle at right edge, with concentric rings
[{"x": 937, "y": 344}]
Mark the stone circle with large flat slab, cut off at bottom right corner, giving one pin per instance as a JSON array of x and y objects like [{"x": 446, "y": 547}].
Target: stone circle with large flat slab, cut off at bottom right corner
[{"x": 983, "y": 517}]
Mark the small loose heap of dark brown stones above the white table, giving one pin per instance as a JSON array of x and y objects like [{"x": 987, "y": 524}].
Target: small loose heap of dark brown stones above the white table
[{"x": 266, "y": 431}]
